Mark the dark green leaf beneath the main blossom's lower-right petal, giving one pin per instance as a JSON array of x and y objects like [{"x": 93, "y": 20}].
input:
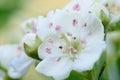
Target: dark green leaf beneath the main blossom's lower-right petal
[{"x": 94, "y": 74}]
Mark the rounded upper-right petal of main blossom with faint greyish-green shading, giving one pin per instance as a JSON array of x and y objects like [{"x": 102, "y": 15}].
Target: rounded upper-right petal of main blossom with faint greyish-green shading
[{"x": 94, "y": 29}]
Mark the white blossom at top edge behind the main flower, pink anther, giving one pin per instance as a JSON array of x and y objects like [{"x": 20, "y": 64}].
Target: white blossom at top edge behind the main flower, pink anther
[{"x": 87, "y": 6}]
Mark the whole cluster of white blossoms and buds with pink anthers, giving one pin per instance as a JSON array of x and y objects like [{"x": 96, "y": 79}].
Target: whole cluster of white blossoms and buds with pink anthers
[{"x": 72, "y": 38}]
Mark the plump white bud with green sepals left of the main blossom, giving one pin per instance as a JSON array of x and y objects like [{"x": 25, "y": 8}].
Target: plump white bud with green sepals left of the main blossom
[{"x": 31, "y": 44}]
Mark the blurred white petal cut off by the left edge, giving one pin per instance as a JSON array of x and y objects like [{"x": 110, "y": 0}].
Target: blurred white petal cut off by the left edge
[{"x": 7, "y": 53}]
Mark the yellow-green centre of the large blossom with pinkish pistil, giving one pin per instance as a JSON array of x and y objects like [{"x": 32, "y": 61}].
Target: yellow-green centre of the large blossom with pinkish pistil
[{"x": 73, "y": 47}]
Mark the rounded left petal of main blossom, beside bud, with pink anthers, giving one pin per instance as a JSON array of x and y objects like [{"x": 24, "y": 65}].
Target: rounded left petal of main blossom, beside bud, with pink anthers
[{"x": 50, "y": 47}]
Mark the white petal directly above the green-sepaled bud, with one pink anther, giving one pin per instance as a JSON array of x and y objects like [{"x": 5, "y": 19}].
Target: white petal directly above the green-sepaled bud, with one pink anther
[{"x": 44, "y": 26}]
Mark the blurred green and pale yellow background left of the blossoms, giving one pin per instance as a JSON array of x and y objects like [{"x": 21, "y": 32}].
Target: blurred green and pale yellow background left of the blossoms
[{"x": 14, "y": 12}]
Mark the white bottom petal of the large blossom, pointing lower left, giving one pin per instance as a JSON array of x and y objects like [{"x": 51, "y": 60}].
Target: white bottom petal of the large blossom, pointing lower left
[{"x": 59, "y": 67}]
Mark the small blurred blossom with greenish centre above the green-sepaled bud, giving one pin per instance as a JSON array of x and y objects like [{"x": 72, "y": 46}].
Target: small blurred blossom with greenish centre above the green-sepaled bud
[{"x": 29, "y": 26}]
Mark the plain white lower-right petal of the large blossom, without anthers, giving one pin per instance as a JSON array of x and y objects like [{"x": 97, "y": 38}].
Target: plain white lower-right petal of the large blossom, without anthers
[{"x": 89, "y": 56}]
